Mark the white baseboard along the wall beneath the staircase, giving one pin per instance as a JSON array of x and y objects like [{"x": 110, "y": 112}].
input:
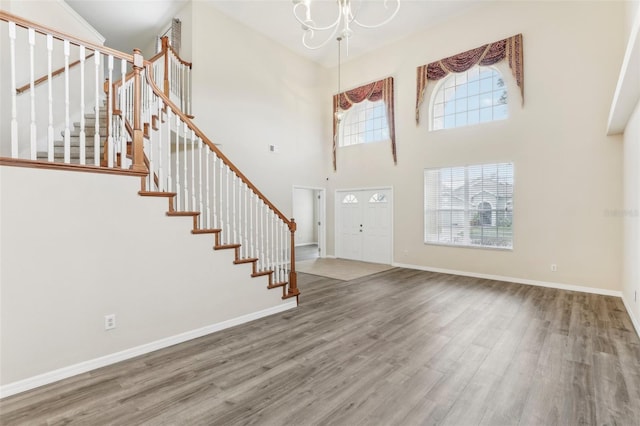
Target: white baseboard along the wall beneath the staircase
[{"x": 85, "y": 366}]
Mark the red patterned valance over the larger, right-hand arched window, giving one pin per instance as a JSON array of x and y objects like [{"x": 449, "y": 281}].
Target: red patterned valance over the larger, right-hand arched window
[{"x": 489, "y": 54}]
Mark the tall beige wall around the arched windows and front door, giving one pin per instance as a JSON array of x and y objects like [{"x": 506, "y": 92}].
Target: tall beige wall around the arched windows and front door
[{"x": 567, "y": 172}]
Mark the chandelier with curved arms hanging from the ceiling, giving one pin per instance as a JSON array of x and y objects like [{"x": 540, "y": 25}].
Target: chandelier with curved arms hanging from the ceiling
[{"x": 341, "y": 26}]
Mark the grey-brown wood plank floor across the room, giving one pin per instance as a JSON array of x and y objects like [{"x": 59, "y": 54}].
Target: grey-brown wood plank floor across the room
[{"x": 401, "y": 347}]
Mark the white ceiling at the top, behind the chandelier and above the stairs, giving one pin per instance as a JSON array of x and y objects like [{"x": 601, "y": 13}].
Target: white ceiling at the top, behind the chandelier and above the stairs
[{"x": 129, "y": 24}]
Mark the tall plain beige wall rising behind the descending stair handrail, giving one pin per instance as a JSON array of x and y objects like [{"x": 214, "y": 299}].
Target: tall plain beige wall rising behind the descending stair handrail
[{"x": 251, "y": 93}]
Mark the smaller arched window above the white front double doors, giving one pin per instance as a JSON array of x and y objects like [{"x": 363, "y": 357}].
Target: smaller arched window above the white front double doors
[{"x": 364, "y": 122}]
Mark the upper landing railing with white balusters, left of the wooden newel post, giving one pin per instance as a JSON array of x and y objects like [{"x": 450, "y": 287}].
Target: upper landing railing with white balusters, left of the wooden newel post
[{"x": 59, "y": 117}]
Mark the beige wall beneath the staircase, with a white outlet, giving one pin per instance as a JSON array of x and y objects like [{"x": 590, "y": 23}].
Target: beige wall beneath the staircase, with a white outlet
[{"x": 71, "y": 252}]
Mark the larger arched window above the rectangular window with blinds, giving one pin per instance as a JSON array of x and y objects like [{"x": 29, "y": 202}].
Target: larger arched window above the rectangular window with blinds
[{"x": 477, "y": 95}]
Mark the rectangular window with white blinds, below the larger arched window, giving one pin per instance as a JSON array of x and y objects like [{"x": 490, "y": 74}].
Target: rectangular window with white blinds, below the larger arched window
[{"x": 462, "y": 231}]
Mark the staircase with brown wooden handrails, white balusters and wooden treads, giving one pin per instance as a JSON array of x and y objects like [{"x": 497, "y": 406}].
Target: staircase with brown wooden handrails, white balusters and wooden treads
[{"x": 142, "y": 132}]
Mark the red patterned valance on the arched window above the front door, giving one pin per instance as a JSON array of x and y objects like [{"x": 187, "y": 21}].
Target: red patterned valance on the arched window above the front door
[{"x": 381, "y": 89}]
